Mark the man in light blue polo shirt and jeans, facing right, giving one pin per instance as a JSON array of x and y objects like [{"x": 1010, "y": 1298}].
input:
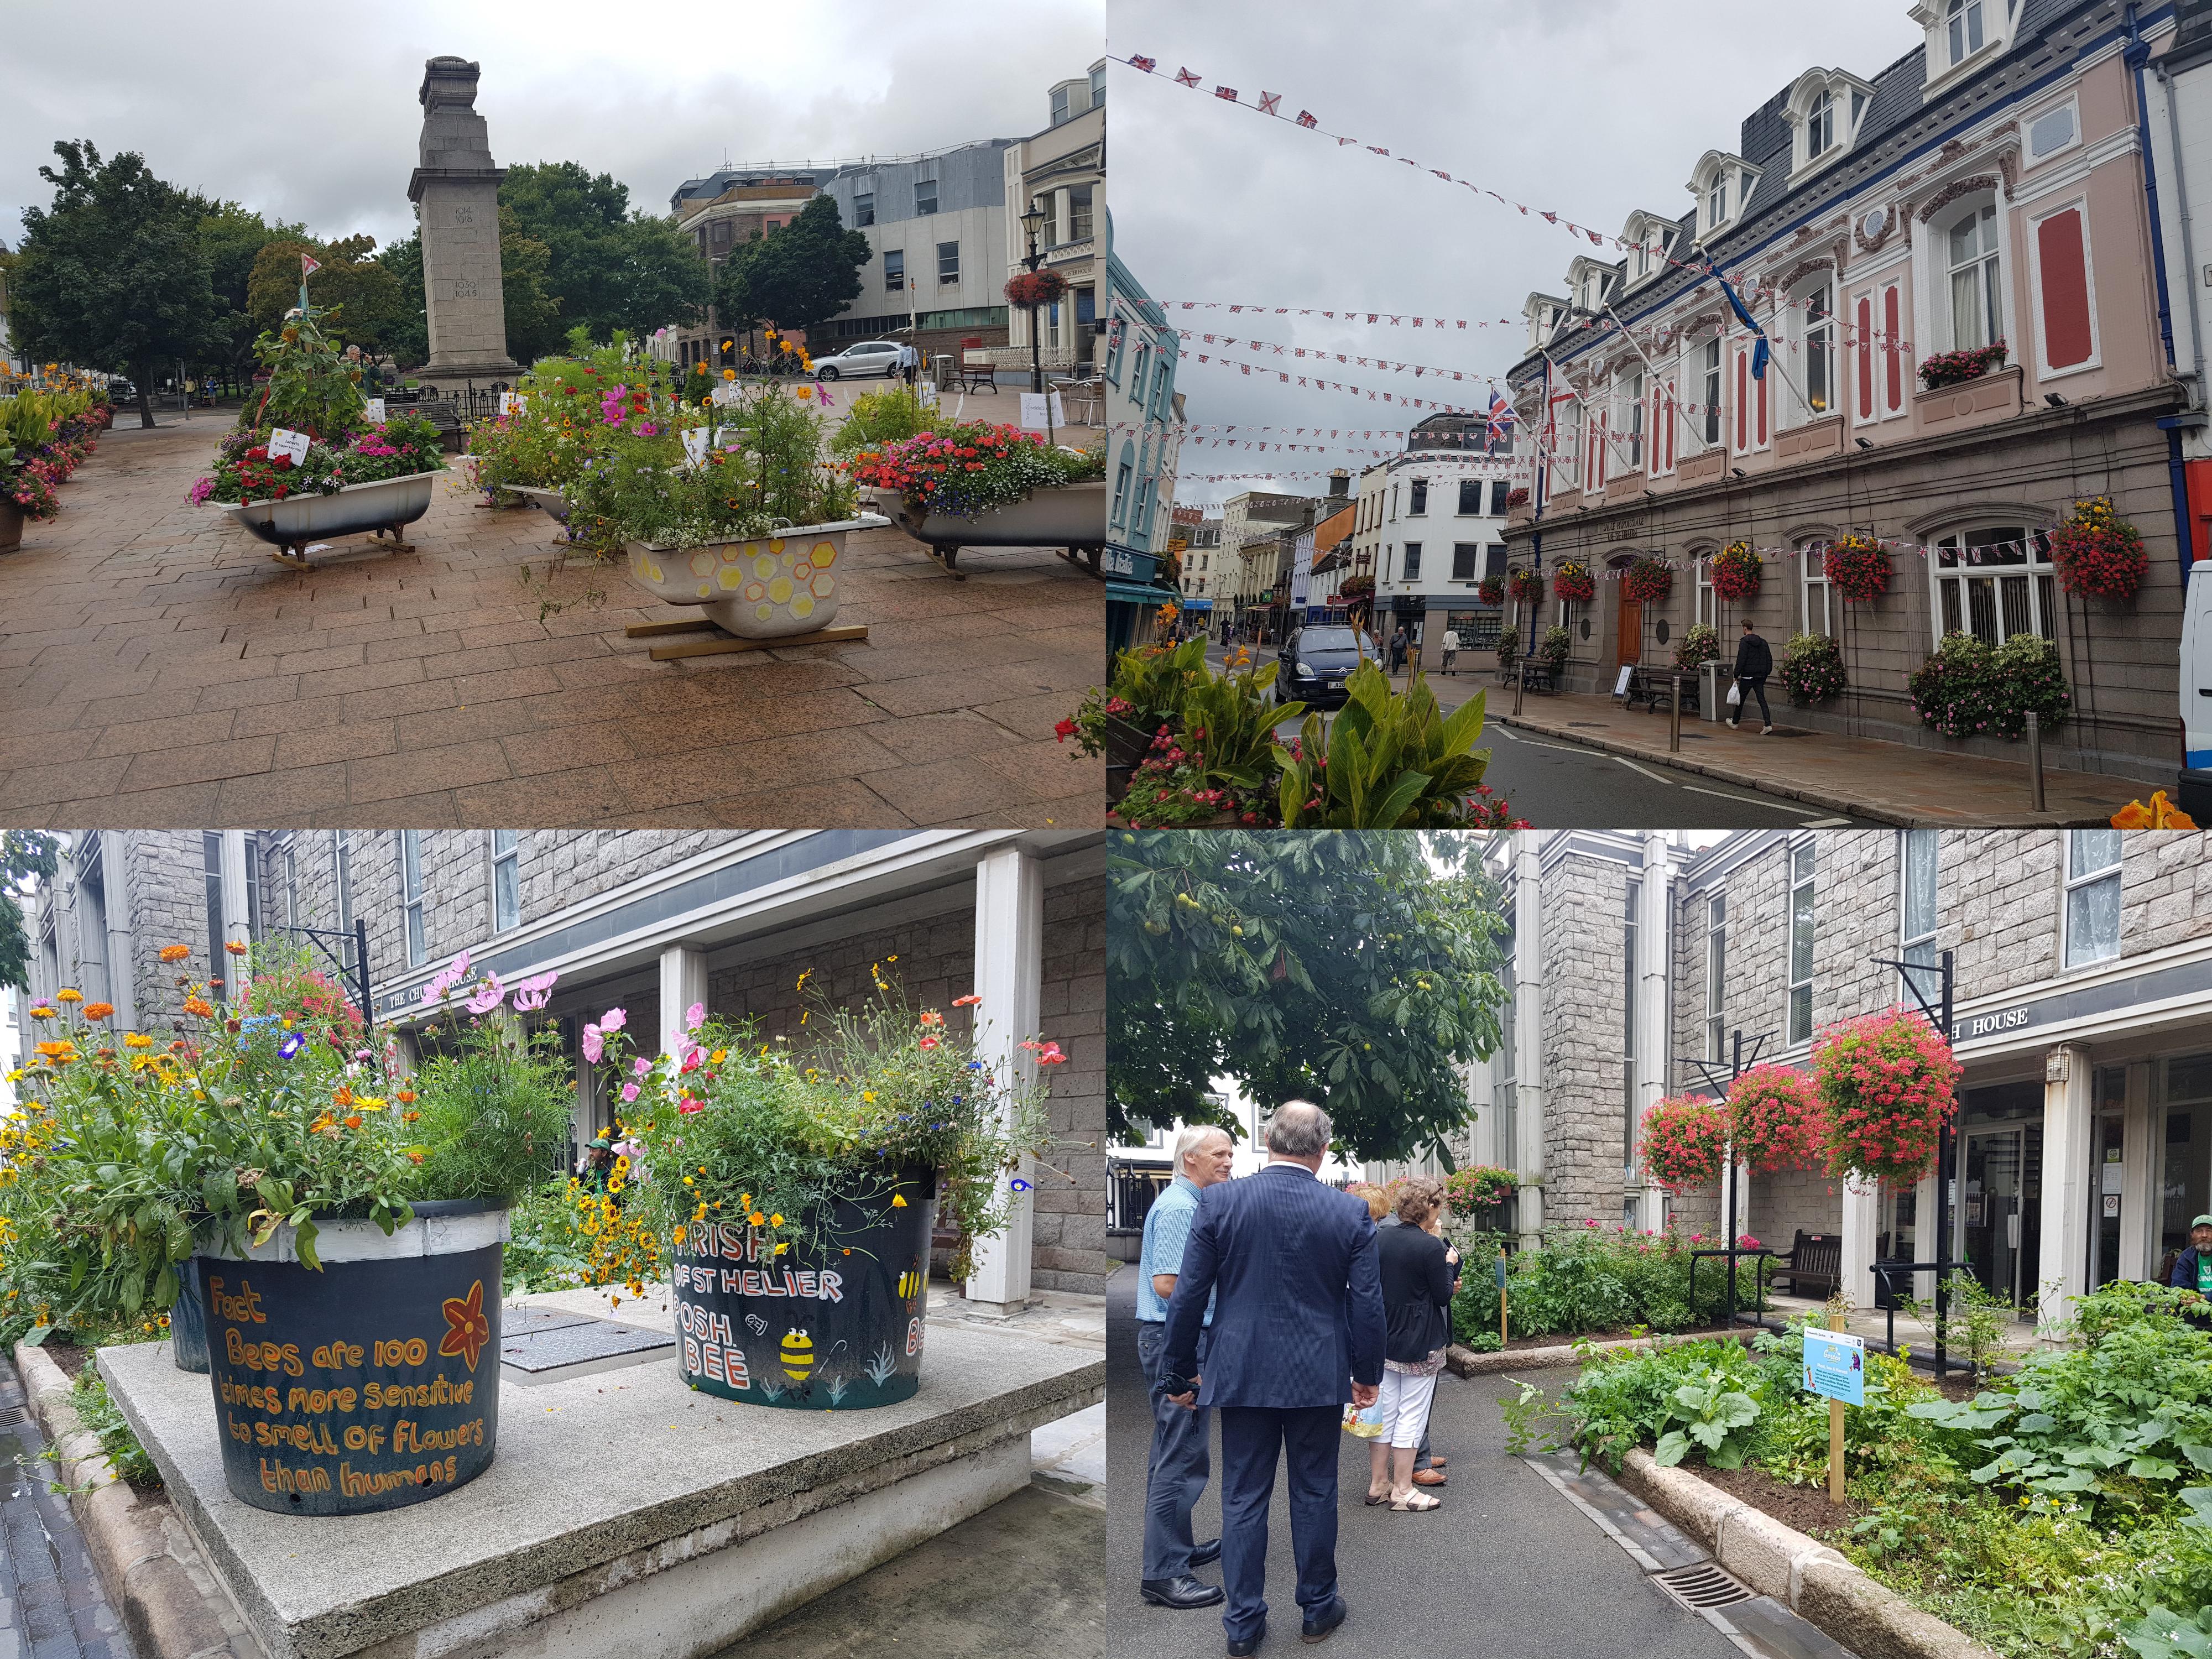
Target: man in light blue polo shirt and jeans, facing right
[{"x": 1178, "y": 1470}]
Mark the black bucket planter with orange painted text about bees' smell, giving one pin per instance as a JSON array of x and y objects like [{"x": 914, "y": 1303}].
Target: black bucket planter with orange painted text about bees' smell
[{"x": 368, "y": 1386}]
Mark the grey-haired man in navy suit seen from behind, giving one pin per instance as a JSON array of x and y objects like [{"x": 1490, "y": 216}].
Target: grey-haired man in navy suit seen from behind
[{"x": 1297, "y": 1335}]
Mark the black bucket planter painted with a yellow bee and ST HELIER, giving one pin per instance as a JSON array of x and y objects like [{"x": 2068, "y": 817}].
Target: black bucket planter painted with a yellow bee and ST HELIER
[{"x": 839, "y": 1331}]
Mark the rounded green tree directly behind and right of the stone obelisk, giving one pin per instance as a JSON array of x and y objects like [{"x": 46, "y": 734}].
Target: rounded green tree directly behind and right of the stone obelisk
[{"x": 609, "y": 264}]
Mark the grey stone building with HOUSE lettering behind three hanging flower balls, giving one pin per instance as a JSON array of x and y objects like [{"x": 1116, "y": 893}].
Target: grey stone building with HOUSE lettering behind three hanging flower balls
[{"x": 2083, "y": 968}]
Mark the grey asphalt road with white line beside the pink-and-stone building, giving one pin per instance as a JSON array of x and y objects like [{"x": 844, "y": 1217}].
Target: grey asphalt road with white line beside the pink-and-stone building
[{"x": 1558, "y": 786}]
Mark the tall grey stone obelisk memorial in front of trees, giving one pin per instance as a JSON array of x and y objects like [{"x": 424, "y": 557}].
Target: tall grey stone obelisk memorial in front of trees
[{"x": 459, "y": 196}]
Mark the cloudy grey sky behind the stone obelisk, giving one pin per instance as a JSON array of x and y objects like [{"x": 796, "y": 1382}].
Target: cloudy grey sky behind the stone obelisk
[{"x": 309, "y": 112}]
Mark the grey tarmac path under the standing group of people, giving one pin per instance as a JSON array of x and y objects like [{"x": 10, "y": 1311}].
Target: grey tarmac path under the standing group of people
[{"x": 1507, "y": 1569}]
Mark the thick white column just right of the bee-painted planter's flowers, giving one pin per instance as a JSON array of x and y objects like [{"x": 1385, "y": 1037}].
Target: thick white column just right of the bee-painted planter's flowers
[{"x": 1010, "y": 977}]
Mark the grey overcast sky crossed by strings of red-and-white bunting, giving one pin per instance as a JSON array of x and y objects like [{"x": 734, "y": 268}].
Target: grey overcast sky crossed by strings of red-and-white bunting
[{"x": 1583, "y": 107}]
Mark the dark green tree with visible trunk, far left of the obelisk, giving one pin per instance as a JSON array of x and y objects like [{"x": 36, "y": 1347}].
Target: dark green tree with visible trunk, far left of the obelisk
[{"x": 114, "y": 273}]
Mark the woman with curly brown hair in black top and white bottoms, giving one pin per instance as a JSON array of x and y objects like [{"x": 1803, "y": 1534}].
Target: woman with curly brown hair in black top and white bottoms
[{"x": 1419, "y": 1280}]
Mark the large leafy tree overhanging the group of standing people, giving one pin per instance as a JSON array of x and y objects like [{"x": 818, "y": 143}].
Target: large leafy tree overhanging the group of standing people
[{"x": 1346, "y": 968}]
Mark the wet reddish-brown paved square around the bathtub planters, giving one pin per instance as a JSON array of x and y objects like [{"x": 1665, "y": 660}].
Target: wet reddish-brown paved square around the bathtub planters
[{"x": 158, "y": 667}]
